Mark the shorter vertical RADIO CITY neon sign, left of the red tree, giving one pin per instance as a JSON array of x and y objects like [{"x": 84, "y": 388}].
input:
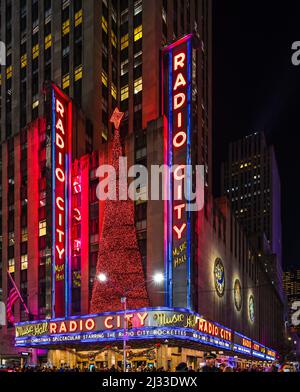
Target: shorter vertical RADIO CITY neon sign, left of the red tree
[{"x": 61, "y": 202}]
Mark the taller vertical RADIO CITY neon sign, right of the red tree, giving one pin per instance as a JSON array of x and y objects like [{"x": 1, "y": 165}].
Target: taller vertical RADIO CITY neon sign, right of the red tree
[{"x": 177, "y": 101}]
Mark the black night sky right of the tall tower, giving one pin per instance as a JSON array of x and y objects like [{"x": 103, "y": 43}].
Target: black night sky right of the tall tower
[{"x": 256, "y": 88}]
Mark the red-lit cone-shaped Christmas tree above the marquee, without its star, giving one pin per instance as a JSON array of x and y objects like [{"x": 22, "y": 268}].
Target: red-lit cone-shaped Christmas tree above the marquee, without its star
[{"x": 119, "y": 257}]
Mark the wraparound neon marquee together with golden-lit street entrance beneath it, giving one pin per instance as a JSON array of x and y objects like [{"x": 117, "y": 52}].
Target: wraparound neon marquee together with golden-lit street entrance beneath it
[{"x": 160, "y": 336}]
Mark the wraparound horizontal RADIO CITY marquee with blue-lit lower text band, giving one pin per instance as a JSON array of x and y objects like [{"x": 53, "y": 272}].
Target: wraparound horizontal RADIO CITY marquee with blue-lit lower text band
[{"x": 147, "y": 323}]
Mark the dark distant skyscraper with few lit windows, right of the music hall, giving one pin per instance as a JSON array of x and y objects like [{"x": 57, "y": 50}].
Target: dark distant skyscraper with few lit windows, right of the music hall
[{"x": 250, "y": 179}]
